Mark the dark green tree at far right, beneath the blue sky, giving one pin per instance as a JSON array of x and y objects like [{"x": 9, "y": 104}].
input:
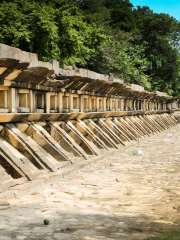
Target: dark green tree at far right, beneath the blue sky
[{"x": 160, "y": 36}]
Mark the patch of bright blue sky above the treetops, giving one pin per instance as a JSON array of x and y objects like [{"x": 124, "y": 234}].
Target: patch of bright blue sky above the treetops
[{"x": 172, "y": 7}]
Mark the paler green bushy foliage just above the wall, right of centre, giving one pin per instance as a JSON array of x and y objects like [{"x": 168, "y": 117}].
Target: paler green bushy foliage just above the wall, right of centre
[{"x": 121, "y": 58}]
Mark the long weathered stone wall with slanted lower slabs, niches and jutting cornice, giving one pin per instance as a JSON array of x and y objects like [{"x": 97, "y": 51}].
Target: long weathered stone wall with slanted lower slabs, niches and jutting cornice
[{"x": 52, "y": 117}]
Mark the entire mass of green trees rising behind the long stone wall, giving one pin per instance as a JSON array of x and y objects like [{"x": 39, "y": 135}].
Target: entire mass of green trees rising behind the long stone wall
[{"x": 133, "y": 43}]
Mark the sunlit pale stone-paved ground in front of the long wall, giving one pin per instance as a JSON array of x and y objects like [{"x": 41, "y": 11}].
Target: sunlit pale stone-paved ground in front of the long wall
[{"x": 121, "y": 197}]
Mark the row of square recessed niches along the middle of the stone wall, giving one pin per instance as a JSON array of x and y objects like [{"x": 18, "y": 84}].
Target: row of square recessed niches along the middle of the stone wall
[{"x": 24, "y": 100}]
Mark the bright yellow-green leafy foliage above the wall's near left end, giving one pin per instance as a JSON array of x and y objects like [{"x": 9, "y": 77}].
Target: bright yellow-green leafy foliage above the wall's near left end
[{"x": 54, "y": 31}]
